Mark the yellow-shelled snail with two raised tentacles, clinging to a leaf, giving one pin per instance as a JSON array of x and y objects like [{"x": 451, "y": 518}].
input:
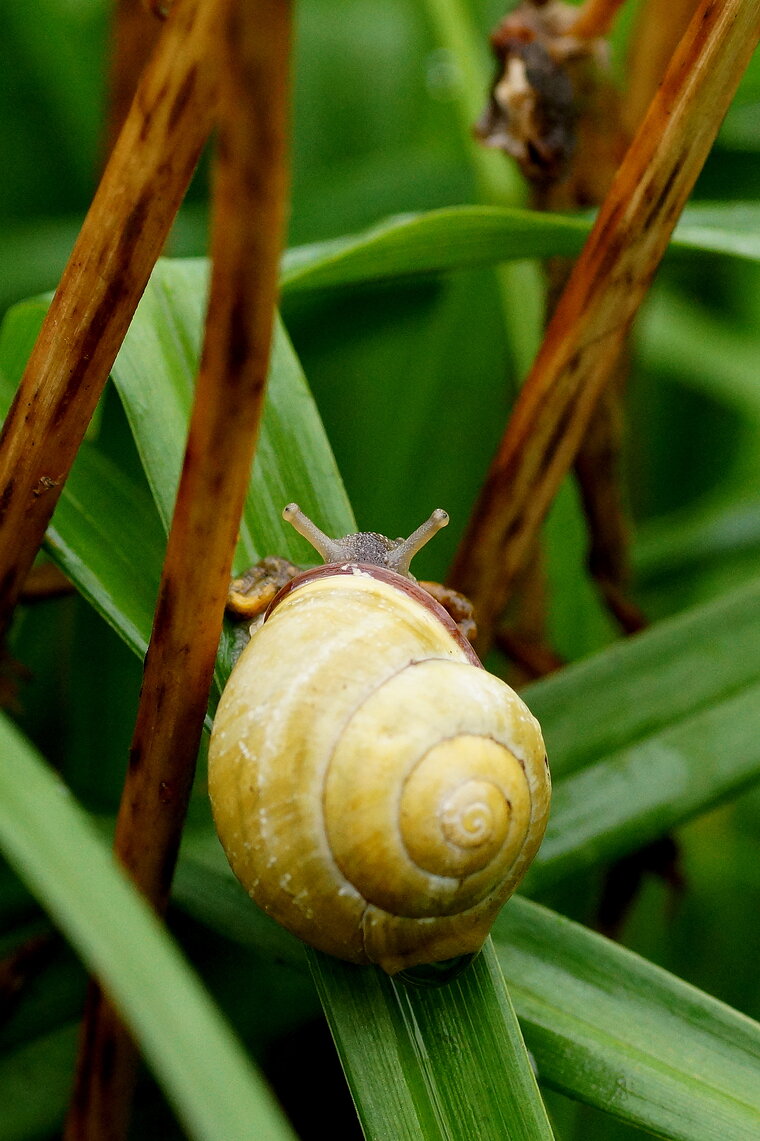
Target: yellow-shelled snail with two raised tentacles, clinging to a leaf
[{"x": 375, "y": 789}]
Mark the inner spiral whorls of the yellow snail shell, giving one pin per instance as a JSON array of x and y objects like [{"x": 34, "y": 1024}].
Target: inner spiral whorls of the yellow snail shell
[{"x": 442, "y": 811}]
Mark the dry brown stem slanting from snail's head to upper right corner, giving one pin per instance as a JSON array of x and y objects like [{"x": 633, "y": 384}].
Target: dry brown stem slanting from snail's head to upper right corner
[{"x": 603, "y": 295}]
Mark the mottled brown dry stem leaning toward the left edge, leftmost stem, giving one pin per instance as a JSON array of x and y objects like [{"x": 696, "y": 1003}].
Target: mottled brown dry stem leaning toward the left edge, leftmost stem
[{"x": 122, "y": 238}]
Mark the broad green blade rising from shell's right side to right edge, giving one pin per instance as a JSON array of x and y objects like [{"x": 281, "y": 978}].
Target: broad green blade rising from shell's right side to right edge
[{"x": 670, "y": 727}]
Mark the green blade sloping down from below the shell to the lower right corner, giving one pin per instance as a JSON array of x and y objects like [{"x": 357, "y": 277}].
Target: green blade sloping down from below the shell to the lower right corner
[{"x": 612, "y": 1030}]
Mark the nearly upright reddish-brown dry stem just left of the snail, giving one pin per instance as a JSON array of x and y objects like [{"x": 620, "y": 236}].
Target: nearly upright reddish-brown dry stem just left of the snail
[{"x": 254, "y": 52}]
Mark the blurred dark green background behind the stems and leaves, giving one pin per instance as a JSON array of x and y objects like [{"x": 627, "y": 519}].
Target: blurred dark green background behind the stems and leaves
[{"x": 415, "y": 383}]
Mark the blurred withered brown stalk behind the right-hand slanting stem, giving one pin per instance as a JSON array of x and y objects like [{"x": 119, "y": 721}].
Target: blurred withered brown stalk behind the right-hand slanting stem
[{"x": 555, "y": 108}]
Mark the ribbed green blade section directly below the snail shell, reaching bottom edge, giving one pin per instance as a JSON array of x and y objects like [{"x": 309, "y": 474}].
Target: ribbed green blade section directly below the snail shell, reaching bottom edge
[{"x": 434, "y": 1063}]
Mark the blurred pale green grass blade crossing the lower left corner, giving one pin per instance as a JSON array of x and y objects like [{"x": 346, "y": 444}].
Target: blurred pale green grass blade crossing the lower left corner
[{"x": 58, "y": 852}]
